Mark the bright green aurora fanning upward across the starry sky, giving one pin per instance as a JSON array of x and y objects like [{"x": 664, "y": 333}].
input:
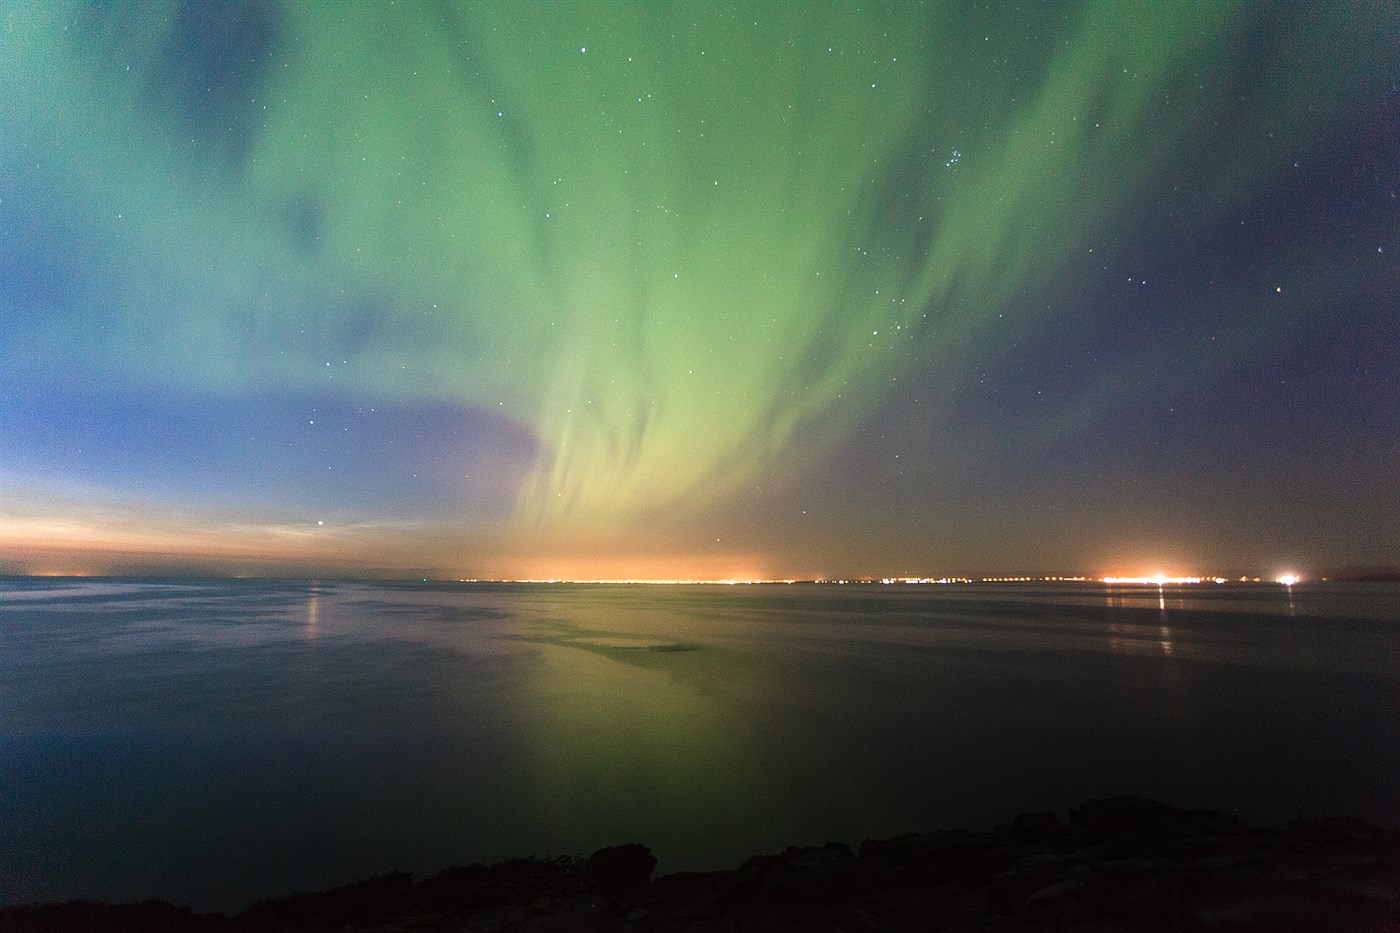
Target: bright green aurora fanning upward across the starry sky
[{"x": 687, "y": 246}]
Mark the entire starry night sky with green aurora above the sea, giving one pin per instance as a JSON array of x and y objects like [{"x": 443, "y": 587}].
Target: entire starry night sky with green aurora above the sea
[{"x": 699, "y": 291}]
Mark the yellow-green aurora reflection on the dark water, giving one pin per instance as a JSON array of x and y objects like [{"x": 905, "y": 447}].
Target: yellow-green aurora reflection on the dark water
[{"x": 635, "y": 733}]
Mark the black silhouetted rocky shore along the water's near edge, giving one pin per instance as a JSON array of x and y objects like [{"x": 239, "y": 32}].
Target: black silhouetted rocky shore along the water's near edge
[{"x": 1118, "y": 865}]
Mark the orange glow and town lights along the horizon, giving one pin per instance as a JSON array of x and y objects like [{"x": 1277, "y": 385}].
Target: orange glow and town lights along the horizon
[{"x": 101, "y": 541}]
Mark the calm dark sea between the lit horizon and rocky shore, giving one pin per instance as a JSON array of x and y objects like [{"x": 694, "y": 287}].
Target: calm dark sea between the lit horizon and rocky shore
[{"x": 222, "y": 742}]
